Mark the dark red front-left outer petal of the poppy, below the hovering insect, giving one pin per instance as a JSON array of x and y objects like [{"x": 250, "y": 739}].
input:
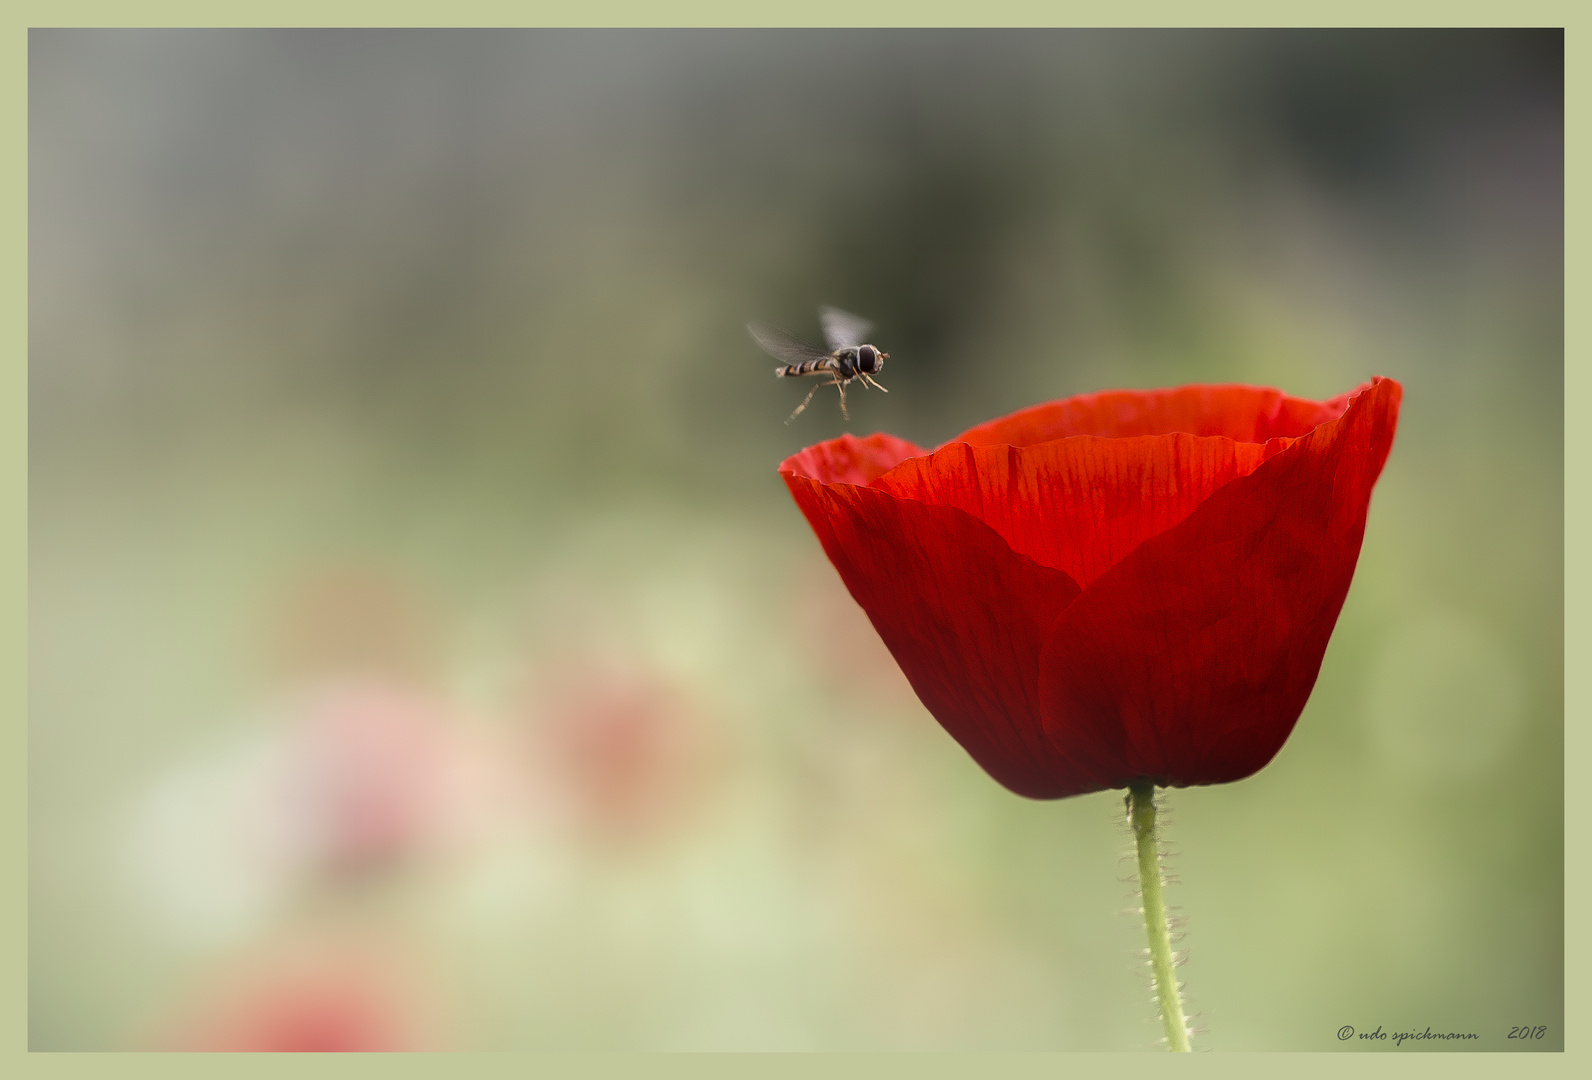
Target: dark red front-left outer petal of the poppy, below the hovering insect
[{"x": 959, "y": 609}]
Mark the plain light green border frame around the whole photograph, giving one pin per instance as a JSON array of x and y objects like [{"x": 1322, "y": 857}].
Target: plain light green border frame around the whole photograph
[{"x": 853, "y": 14}]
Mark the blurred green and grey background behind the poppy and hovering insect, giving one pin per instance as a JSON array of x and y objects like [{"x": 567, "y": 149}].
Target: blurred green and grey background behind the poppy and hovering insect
[{"x": 426, "y": 652}]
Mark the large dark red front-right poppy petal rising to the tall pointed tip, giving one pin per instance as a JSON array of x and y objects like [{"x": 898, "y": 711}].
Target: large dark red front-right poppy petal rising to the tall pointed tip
[{"x": 1192, "y": 659}]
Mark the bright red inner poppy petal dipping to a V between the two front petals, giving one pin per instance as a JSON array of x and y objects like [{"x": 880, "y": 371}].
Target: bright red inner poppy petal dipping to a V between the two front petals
[{"x": 1080, "y": 504}]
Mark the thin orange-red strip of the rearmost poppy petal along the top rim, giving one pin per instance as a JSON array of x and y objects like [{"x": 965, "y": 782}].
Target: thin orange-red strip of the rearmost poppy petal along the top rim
[{"x": 1244, "y": 413}]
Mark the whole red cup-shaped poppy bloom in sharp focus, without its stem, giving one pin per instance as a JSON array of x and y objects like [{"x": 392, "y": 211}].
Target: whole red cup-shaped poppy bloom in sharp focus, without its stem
[{"x": 1117, "y": 587}]
